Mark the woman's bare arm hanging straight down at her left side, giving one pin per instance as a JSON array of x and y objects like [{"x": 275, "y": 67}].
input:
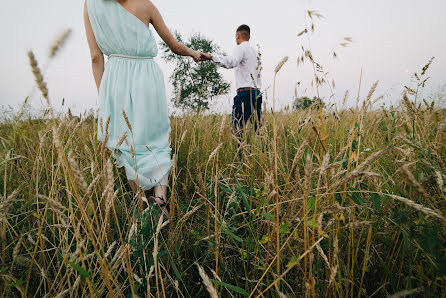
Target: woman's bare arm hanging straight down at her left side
[{"x": 97, "y": 57}]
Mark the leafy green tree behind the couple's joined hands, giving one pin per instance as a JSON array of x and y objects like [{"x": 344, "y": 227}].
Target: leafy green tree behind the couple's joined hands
[{"x": 195, "y": 84}]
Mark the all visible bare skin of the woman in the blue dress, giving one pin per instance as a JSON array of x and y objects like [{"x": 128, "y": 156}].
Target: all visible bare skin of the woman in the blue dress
[{"x": 147, "y": 12}]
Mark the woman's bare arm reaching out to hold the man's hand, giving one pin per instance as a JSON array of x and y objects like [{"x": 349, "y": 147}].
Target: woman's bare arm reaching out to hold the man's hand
[{"x": 177, "y": 47}]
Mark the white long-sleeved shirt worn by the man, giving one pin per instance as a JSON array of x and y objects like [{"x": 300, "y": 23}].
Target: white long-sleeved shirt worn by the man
[{"x": 246, "y": 61}]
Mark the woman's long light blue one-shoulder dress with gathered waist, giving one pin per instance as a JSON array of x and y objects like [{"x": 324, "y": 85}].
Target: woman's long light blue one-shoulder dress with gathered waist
[{"x": 133, "y": 82}]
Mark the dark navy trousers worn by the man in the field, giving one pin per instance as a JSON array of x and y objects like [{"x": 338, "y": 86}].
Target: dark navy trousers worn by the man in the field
[{"x": 247, "y": 107}]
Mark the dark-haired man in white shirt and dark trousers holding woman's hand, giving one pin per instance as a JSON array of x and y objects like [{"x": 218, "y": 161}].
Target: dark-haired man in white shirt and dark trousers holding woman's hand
[{"x": 247, "y": 64}]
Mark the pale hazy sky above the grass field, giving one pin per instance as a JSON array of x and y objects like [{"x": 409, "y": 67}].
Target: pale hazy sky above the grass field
[{"x": 392, "y": 39}]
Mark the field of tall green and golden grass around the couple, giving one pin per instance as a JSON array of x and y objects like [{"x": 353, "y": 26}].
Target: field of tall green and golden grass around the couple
[{"x": 346, "y": 203}]
